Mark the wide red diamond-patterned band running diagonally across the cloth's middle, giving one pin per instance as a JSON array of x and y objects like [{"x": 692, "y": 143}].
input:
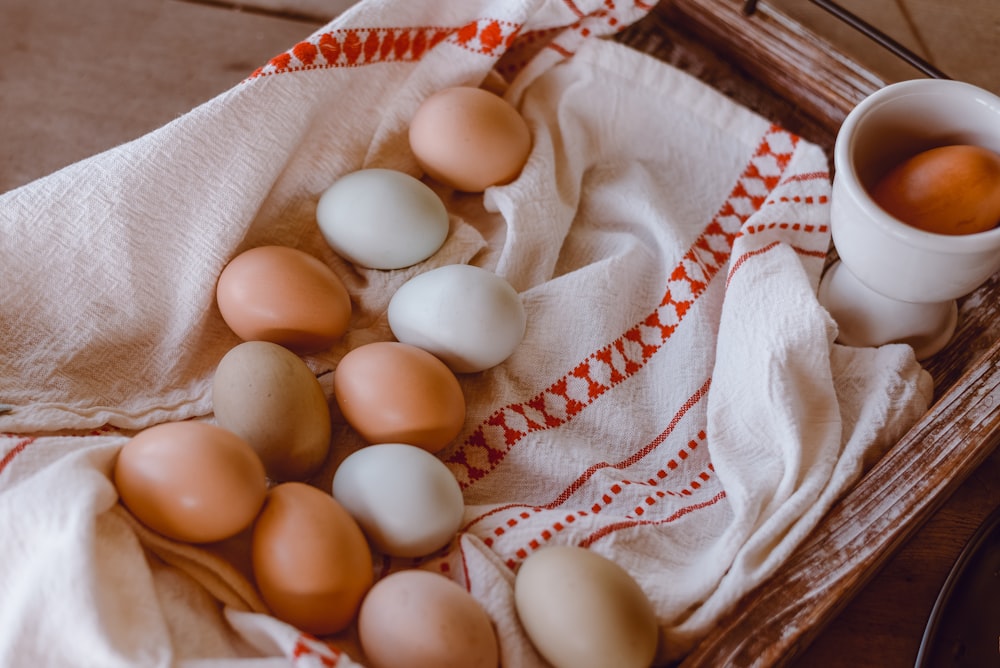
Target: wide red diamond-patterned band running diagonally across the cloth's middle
[{"x": 568, "y": 396}]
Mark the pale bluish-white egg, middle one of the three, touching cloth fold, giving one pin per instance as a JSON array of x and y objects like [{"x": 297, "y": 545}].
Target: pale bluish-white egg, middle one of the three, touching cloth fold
[{"x": 468, "y": 317}]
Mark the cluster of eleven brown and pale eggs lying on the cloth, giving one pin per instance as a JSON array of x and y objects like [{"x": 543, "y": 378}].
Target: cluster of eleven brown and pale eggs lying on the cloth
[{"x": 311, "y": 550}]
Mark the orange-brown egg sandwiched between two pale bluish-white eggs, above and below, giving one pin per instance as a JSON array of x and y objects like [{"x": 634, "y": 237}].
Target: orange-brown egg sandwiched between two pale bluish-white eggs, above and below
[{"x": 392, "y": 392}]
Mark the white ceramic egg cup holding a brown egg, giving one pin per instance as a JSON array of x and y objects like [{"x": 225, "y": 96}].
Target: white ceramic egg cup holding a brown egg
[{"x": 895, "y": 283}]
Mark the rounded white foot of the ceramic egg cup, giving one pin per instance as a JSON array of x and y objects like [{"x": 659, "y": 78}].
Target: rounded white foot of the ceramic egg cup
[{"x": 866, "y": 318}]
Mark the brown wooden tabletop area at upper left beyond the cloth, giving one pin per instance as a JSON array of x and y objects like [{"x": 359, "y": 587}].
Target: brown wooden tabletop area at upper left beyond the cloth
[{"x": 81, "y": 77}]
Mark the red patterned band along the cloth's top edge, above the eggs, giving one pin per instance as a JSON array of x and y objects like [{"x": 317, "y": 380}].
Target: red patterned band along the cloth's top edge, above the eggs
[{"x": 354, "y": 47}]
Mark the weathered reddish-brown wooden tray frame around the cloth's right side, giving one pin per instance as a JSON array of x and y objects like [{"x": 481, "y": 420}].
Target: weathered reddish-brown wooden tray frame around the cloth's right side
[{"x": 772, "y": 65}]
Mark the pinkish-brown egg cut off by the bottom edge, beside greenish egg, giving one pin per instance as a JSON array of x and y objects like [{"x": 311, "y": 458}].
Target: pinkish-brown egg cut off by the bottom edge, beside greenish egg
[{"x": 418, "y": 619}]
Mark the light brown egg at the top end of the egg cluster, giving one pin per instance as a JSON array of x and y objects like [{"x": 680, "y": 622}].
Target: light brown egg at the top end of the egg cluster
[{"x": 469, "y": 139}]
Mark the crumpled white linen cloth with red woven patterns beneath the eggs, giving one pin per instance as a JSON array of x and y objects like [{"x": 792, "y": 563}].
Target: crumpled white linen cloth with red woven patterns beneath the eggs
[{"x": 678, "y": 403}]
